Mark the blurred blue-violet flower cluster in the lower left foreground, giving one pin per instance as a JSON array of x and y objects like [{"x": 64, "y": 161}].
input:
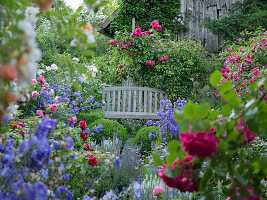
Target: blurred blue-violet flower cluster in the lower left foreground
[{"x": 18, "y": 168}]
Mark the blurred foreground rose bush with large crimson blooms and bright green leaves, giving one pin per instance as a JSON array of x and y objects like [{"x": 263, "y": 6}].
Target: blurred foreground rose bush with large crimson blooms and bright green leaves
[{"x": 203, "y": 139}]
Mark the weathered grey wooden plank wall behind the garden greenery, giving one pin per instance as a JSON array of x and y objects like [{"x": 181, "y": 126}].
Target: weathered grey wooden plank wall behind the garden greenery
[{"x": 202, "y": 9}]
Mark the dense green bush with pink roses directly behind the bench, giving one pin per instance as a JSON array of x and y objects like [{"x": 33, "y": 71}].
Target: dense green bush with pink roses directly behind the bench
[{"x": 154, "y": 62}]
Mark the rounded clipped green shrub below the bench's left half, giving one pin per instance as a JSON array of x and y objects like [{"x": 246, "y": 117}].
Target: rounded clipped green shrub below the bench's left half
[{"x": 110, "y": 128}]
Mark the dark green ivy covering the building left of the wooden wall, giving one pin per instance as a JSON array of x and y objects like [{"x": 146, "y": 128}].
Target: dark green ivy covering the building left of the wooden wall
[{"x": 145, "y": 12}]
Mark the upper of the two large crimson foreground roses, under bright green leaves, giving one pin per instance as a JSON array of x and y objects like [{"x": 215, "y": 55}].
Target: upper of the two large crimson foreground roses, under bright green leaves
[{"x": 202, "y": 144}]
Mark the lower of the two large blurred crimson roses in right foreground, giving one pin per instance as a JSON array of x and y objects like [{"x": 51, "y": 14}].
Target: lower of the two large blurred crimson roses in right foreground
[{"x": 184, "y": 181}]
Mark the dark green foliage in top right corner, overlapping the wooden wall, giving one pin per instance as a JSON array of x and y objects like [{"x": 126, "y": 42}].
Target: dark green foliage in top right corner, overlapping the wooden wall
[{"x": 243, "y": 17}]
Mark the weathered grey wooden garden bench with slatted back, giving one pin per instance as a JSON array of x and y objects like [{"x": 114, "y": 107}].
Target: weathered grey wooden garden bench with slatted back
[{"x": 131, "y": 102}]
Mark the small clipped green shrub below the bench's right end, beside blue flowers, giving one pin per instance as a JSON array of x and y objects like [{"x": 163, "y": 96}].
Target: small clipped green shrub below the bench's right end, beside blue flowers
[{"x": 143, "y": 138}]
